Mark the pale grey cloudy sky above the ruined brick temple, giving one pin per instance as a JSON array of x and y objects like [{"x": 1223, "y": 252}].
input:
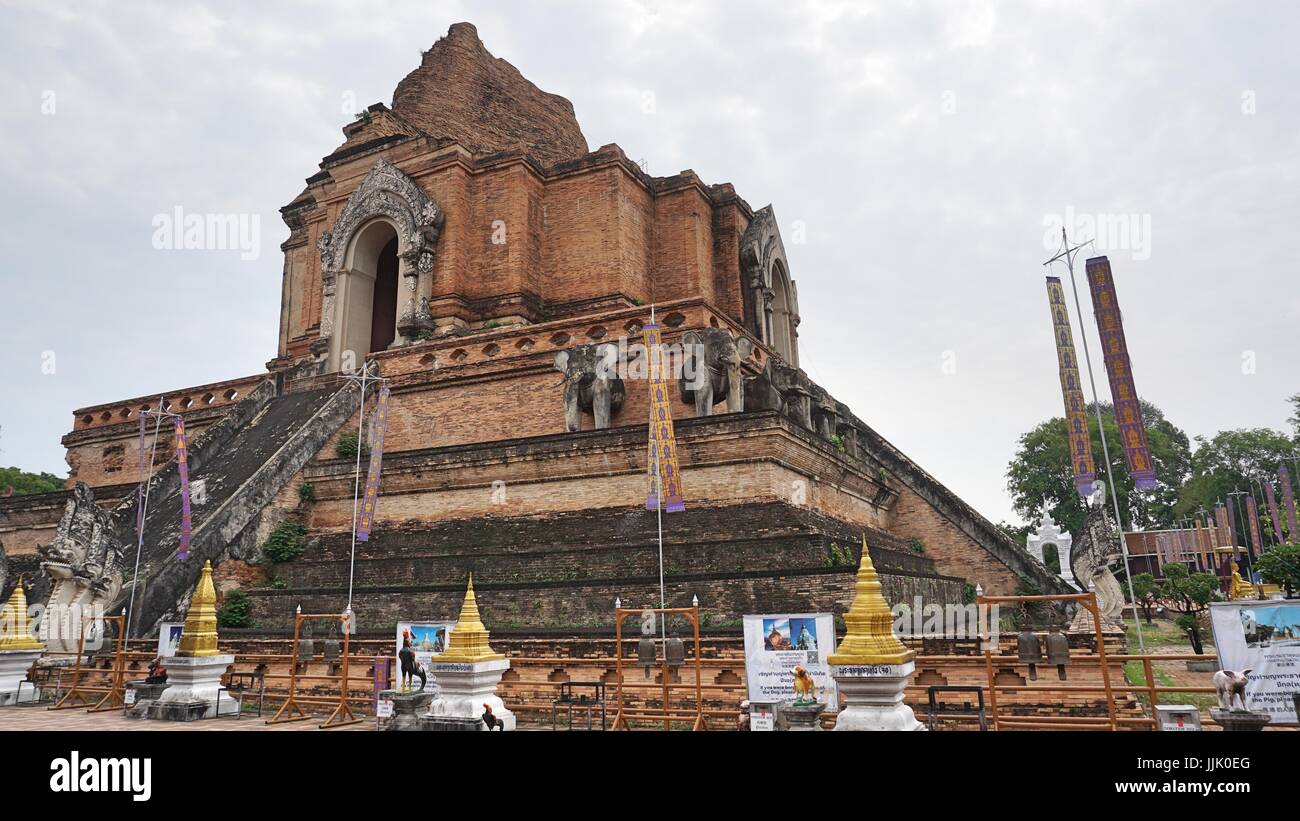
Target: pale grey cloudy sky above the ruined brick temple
[{"x": 925, "y": 150}]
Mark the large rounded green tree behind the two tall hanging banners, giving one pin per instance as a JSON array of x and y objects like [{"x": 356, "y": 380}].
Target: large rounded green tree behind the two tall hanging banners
[{"x": 1043, "y": 471}]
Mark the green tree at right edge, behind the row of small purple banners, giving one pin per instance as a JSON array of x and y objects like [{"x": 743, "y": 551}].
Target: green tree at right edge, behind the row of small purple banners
[{"x": 1230, "y": 462}]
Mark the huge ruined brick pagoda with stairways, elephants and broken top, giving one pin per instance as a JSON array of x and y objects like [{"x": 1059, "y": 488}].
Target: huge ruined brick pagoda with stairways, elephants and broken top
[{"x": 470, "y": 246}]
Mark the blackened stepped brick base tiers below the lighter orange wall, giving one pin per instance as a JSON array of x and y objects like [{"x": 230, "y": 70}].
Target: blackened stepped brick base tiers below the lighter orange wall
[{"x": 565, "y": 571}]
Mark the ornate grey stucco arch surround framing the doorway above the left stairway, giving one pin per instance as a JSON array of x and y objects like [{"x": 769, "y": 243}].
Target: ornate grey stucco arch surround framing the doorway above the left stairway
[{"x": 388, "y": 194}]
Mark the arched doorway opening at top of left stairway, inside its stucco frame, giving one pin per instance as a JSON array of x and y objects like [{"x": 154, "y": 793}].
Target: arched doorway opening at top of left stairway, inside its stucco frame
[{"x": 369, "y": 296}]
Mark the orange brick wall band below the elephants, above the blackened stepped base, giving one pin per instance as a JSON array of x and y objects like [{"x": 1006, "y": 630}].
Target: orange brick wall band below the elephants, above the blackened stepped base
[{"x": 726, "y": 459}]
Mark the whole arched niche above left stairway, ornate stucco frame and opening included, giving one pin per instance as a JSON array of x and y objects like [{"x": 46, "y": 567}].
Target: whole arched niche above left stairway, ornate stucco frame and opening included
[{"x": 388, "y": 221}]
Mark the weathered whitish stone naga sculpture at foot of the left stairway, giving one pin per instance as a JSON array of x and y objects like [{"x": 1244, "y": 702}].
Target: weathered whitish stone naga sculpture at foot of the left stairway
[{"x": 84, "y": 563}]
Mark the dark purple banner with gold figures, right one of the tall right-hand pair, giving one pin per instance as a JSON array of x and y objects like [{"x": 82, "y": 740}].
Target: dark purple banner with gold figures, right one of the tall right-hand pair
[{"x": 1124, "y": 392}]
